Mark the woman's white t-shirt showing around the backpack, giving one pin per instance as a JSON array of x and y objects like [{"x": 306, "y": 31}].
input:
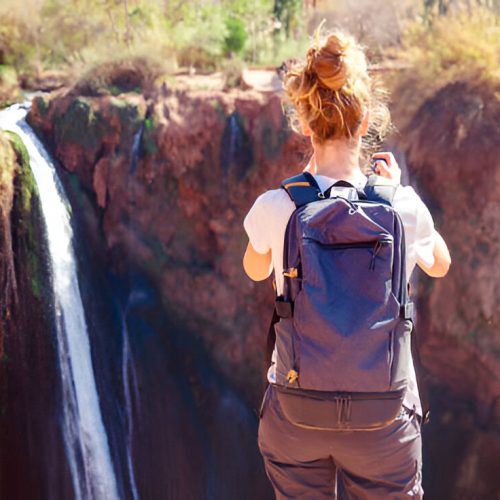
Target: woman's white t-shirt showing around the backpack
[{"x": 266, "y": 222}]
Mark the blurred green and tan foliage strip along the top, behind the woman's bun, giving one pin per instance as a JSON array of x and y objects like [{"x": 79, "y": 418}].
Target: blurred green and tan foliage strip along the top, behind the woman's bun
[{"x": 78, "y": 35}]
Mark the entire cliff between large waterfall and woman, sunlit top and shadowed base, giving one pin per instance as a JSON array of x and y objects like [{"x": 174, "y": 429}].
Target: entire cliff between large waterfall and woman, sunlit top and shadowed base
[{"x": 163, "y": 227}]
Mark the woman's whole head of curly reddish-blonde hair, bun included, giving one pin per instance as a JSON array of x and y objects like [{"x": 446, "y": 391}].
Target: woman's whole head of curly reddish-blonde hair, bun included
[{"x": 331, "y": 90}]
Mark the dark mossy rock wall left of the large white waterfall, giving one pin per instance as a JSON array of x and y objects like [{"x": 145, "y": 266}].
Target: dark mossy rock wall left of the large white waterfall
[{"x": 29, "y": 387}]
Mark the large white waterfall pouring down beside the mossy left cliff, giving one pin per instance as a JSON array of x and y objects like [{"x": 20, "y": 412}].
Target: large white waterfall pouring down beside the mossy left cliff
[{"x": 85, "y": 438}]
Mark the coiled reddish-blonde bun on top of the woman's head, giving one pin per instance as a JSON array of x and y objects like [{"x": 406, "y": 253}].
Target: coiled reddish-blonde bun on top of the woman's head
[{"x": 328, "y": 63}]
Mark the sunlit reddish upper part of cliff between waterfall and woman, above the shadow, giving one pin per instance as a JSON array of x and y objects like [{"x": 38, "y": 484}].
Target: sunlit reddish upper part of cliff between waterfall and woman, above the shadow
[{"x": 176, "y": 210}]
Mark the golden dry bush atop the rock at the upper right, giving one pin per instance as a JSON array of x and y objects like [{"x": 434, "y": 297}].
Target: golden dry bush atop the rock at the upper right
[{"x": 460, "y": 46}]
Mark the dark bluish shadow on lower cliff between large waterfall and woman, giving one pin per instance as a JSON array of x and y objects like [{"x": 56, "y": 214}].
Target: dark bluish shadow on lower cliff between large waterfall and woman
[{"x": 178, "y": 430}]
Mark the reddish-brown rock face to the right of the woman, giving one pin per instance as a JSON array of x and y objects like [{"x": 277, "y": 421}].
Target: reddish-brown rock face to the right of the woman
[{"x": 453, "y": 151}]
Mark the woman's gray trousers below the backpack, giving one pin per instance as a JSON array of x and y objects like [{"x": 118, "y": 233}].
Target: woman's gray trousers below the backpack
[{"x": 314, "y": 464}]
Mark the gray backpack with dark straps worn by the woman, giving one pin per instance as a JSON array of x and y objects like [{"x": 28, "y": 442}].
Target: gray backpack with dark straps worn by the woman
[{"x": 344, "y": 321}]
